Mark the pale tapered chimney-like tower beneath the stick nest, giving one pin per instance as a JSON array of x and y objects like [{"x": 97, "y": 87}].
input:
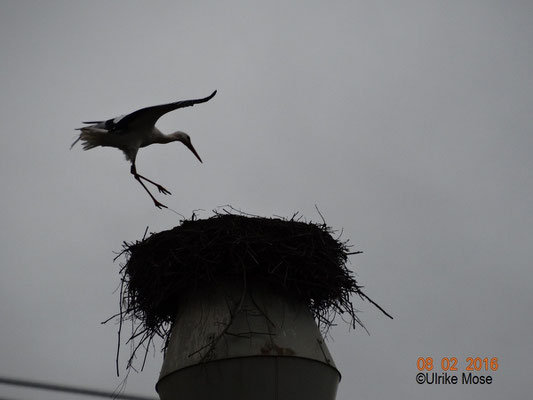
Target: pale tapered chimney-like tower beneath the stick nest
[{"x": 244, "y": 340}]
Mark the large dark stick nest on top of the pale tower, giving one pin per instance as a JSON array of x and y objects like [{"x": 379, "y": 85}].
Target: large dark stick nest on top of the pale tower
[{"x": 292, "y": 256}]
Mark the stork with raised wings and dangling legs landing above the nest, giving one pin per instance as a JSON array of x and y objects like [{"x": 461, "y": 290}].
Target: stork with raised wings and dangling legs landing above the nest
[{"x": 131, "y": 132}]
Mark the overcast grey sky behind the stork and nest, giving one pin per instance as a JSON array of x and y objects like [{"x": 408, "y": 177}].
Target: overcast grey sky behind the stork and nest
[{"x": 407, "y": 123}]
